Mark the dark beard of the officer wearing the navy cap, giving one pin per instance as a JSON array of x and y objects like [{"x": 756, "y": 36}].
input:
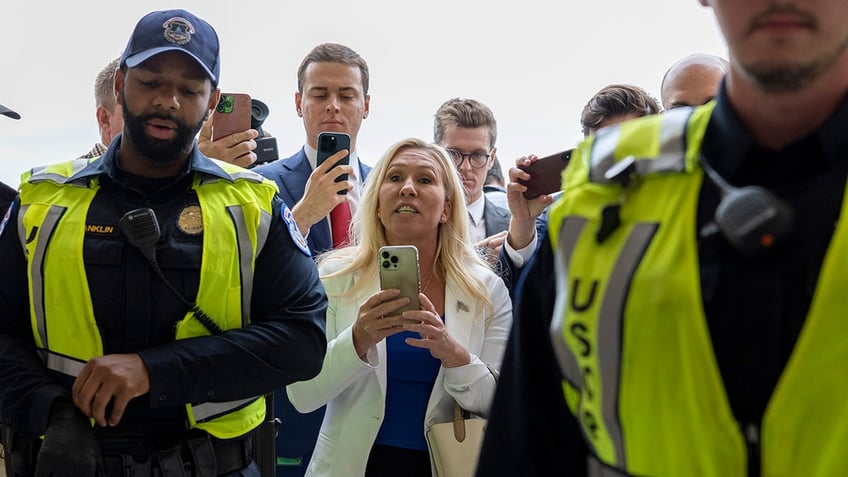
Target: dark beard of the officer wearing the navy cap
[{"x": 160, "y": 151}]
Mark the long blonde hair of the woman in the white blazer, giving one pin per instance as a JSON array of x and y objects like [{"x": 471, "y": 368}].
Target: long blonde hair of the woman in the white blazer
[{"x": 454, "y": 250}]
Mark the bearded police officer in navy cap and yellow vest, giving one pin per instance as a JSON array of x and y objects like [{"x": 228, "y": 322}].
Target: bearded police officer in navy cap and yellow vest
[{"x": 152, "y": 297}]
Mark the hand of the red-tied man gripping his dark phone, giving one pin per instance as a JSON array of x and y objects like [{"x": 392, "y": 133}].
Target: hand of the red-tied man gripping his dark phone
[{"x": 321, "y": 194}]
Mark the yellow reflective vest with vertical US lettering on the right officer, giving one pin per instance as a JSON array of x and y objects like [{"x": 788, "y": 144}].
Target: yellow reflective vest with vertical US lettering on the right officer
[{"x": 630, "y": 333}]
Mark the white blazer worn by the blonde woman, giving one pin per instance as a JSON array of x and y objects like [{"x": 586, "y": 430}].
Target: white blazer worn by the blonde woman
[{"x": 354, "y": 390}]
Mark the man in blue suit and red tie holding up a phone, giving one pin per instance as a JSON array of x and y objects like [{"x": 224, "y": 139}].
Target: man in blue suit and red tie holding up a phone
[{"x": 332, "y": 96}]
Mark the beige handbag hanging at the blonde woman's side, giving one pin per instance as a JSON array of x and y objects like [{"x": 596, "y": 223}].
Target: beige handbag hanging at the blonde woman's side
[{"x": 454, "y": 446}]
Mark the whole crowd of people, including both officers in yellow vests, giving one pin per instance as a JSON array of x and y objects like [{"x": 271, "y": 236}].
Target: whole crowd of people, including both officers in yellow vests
[{"x": 672, "y": 310}]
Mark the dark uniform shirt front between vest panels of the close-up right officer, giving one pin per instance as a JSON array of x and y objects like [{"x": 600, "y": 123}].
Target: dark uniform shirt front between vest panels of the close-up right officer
[{"x": 756, "y": 308}]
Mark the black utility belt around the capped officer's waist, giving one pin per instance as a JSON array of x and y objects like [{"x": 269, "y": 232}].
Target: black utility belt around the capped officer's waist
[{"x": 198, "y": 455}]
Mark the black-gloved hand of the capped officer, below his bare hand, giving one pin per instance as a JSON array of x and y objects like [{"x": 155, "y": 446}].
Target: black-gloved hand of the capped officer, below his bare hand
[{"x": 70, "y": 447}]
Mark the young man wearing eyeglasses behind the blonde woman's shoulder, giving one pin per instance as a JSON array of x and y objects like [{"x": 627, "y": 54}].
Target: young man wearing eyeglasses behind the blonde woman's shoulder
[{"x": 468, "y": 130}]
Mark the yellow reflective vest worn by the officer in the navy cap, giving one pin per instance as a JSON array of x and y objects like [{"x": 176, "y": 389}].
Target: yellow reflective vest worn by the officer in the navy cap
[{"x": 236, "y": 217}]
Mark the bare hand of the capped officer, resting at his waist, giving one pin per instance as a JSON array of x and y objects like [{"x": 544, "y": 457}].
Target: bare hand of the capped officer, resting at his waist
[{"x": 115, "y": 376}]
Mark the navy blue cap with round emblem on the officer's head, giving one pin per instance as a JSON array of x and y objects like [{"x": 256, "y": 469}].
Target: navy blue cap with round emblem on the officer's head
[{"x": 174, "y": 30}]
